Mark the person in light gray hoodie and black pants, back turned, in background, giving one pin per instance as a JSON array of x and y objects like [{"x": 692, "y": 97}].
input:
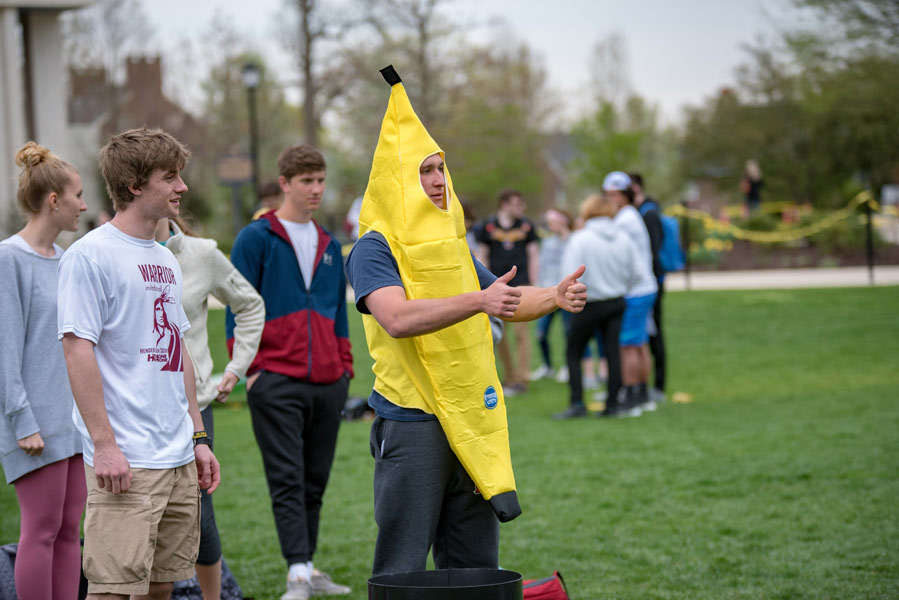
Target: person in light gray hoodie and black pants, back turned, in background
[{"x": 612, "y": 263}]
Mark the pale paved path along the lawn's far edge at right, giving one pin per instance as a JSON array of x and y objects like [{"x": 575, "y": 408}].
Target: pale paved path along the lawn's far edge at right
[{"x": 782, "y": 278}]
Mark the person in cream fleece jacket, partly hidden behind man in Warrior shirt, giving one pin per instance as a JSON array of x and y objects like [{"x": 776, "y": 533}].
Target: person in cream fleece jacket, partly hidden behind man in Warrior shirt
[{"x": 207, "y": 271}]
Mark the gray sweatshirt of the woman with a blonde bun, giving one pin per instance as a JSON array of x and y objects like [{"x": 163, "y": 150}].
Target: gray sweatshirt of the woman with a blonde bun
[{"x": 34, "y": 386}]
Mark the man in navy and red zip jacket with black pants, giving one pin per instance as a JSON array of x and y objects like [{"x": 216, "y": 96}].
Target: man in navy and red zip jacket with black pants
[{"x": 297, "y": 384}]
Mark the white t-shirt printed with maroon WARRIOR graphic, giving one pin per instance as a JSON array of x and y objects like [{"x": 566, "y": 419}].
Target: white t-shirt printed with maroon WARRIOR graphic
[{"x": 124, "y": 295}]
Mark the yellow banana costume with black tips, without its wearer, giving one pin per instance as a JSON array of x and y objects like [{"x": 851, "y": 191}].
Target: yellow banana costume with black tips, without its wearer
[{"x": 449, "y": 373}]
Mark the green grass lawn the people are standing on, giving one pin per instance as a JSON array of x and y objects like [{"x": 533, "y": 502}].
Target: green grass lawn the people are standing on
[{"x": 779, "y": 480}]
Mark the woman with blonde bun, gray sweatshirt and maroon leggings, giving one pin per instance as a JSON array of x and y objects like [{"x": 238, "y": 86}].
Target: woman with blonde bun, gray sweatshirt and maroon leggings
[{"x": 40, "y": 449}]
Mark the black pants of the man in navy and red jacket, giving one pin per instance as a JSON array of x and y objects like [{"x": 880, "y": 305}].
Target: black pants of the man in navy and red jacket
[{"x": 296, "y": 426}]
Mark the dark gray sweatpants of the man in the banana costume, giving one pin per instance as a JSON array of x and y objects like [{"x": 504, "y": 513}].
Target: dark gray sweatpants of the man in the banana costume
[{"x": 424, "y": 499}]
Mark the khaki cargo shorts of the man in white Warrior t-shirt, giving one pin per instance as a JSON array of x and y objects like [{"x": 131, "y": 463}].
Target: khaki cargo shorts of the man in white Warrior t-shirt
[{"x": 149, "y": 533}]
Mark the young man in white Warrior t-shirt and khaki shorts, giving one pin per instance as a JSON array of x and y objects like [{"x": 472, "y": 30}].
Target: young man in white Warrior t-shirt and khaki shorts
[{"x": 121, "y": 325}]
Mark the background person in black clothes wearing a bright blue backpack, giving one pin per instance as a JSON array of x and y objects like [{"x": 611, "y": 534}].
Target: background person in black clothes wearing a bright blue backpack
[{"x": 649, "y": 208}]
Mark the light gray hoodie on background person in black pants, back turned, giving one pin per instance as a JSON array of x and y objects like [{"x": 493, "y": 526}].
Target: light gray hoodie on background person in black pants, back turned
[{"x": 612, "y": 261}]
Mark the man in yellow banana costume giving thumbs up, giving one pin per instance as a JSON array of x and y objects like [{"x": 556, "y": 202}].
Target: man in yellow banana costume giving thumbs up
[{"x": 443, "y": 471}]
